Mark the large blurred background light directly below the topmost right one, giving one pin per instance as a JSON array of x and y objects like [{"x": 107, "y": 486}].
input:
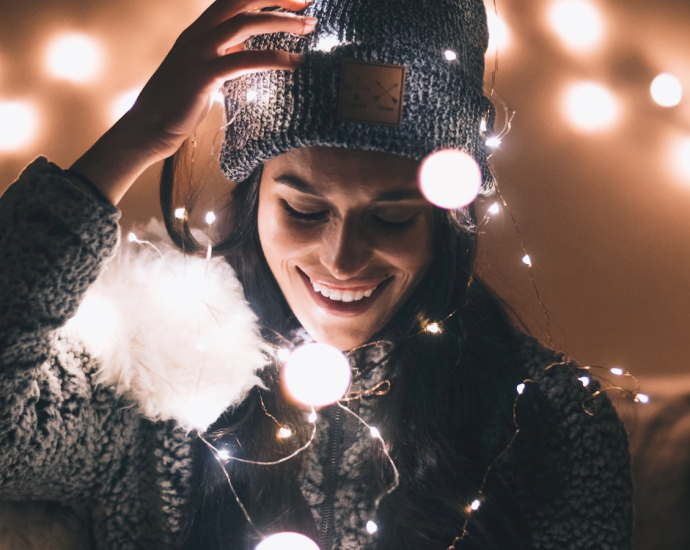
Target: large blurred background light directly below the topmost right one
[{"x": 589, "y": 107}]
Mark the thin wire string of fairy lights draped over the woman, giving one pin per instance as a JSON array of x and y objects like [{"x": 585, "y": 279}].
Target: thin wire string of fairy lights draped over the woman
[{"x": 317, "y": 375}]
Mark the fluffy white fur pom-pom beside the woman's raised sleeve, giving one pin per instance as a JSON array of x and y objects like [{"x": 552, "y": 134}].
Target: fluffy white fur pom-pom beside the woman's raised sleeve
[{"x": 173, "y": 333}]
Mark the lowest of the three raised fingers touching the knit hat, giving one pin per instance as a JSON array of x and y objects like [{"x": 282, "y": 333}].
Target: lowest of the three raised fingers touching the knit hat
[{"x": 252, "y": 61}]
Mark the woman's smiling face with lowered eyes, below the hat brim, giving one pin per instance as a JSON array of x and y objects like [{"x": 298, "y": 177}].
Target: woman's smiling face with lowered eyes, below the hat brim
[{"x": 347, "y": 235}]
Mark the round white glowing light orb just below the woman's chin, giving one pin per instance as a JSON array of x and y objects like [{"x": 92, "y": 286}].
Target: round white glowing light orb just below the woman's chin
[{"x": 317, "y": 374}]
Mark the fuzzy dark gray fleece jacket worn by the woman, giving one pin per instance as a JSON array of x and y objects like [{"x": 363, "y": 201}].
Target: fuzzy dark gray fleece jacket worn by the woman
[{"x": 65, "y": 439}]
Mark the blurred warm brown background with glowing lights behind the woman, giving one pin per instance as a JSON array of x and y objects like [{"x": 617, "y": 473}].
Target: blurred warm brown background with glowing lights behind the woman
[{"x": 596, "y": 169}]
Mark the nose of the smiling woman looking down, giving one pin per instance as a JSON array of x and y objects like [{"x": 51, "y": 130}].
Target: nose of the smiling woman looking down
[{"x": 345, "y": 249}]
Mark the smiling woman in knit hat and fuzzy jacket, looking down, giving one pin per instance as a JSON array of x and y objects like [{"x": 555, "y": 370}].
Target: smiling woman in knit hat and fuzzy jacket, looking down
[{"x": 332, "y": 241}]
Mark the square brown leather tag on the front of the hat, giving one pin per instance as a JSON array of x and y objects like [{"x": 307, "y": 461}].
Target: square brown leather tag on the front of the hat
[{"x": 371, "y": 93}]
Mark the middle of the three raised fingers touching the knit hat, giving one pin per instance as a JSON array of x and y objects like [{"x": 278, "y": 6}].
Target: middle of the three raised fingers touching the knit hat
[{"x": 238, "y": 29}]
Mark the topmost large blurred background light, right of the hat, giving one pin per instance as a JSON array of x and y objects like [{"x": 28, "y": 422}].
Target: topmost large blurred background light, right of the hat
[{"x": 577, "y": 23}]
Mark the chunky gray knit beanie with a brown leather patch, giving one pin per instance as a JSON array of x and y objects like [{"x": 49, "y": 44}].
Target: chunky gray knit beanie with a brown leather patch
[{"x": 396, "y": 76}]
